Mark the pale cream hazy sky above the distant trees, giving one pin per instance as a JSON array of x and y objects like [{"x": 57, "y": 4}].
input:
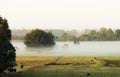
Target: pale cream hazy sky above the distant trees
[{"x": 61, "y": 14}]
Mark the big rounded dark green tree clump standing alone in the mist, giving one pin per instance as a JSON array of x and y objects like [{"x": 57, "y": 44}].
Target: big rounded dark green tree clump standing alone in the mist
[{"x": 39, "y": 38}]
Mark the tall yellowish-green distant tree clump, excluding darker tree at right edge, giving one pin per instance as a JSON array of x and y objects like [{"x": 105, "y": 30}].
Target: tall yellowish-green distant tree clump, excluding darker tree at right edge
[{"x": 102, "y": 35}]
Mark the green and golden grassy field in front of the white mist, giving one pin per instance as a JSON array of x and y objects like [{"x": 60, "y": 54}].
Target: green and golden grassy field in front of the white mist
[{"x": 60, "y": 66}]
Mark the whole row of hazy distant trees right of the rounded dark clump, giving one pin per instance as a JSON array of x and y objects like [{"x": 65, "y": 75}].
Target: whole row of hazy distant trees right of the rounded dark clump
[{"x": 103, "y": 34}]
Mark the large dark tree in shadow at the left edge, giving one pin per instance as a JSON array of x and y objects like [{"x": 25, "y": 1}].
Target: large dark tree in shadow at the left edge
[{"x": 7, "y": 51}]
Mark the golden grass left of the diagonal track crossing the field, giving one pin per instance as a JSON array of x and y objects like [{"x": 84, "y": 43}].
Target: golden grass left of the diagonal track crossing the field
[{"x": 33, "y": 61}]
